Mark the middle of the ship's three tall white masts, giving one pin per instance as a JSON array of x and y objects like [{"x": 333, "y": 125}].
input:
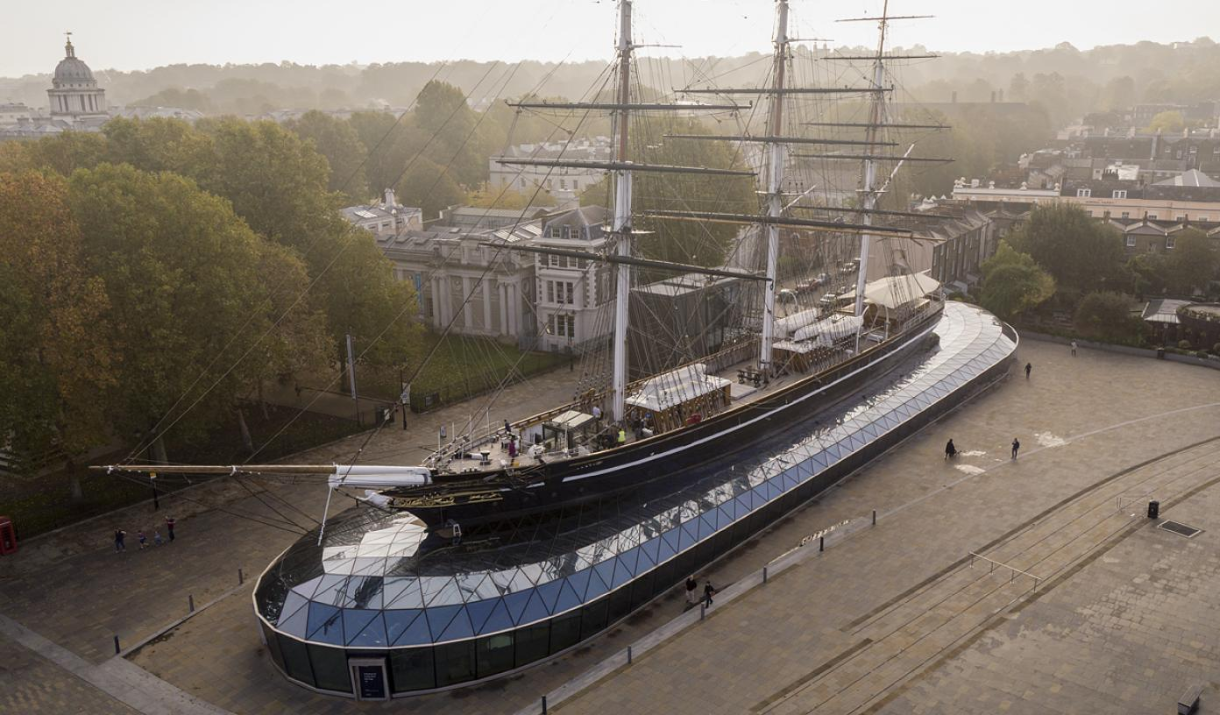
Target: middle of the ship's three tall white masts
[{"x": 775, "y": 184}]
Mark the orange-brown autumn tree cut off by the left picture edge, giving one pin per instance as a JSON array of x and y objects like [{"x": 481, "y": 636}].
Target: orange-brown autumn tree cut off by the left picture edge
[{"x": 57, "y": 358}]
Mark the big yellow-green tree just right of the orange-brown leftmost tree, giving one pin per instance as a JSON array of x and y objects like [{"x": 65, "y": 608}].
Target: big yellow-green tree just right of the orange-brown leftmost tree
[{"x": 187, "y": 298}]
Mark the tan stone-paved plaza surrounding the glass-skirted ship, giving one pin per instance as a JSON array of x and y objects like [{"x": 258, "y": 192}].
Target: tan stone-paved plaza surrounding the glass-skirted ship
[{"x": 1091, "y": 608}]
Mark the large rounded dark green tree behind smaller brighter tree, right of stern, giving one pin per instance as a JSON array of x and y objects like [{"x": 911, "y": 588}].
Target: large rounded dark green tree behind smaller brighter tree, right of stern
[{"x": 1082, "y": 254}]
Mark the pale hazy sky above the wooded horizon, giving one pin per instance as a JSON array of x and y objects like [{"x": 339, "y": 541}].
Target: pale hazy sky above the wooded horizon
[{"x": 138, "y": 35}]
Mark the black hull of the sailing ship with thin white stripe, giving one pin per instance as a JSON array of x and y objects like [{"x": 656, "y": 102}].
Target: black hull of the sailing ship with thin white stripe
[{"x": 664, "y": 463}]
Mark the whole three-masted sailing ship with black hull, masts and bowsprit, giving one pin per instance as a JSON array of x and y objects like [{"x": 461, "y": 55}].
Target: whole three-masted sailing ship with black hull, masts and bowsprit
[{"x": 658, "y": 434}]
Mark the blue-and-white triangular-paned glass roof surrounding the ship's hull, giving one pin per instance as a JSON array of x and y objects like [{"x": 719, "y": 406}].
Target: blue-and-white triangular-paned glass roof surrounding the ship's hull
[{"x": 379, "y": 581}]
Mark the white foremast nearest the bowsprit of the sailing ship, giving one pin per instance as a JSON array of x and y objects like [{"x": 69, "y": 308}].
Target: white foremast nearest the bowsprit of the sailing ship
[{"x": 622, "y": 226}]
